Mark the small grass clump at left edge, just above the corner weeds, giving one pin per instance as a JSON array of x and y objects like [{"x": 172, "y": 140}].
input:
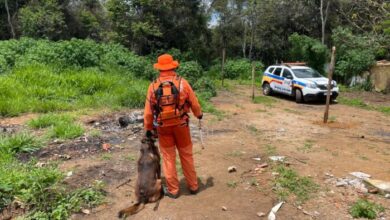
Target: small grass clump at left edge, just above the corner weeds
[{"x": 19, "y": 143}]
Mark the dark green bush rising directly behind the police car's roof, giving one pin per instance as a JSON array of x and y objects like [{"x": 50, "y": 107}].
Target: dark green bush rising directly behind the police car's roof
[{"x": 309, "y": 50}]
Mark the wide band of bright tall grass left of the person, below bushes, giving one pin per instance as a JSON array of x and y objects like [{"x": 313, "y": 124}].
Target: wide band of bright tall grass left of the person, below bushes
[{"x": 41, "y": 88}]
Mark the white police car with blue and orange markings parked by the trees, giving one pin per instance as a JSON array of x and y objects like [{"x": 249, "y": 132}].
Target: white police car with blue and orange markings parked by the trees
[{"x": 299, "y": 81}]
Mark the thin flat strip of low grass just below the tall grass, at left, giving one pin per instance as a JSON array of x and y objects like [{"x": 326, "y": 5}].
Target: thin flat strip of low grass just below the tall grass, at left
[{"x": 49, "y": 120}]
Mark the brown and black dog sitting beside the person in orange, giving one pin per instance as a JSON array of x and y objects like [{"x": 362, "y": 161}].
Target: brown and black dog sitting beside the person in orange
[{"x": 148, "y": 187}]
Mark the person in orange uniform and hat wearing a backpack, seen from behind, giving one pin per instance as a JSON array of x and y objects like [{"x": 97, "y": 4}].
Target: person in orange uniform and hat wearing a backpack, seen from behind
[{"x": 169, "y": 100}]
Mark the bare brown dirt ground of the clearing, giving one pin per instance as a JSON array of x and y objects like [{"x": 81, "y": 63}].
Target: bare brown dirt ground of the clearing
[{"x": 356, "y": 140}]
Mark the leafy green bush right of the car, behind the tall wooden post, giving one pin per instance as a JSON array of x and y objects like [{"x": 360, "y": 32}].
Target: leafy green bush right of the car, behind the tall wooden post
[{"x": 355, "y": 53}]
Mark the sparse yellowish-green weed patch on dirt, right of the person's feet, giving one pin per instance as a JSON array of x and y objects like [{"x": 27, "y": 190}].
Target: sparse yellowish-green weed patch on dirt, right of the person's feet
[{"x": 288, "y": 181}]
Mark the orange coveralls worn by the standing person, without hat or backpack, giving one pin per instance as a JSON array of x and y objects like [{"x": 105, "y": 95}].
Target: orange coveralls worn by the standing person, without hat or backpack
[{"x": 174, "y": 137}]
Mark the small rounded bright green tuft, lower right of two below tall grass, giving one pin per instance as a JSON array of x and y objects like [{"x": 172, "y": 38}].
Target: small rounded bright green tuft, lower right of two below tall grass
[{"x": 66, "y": 131}]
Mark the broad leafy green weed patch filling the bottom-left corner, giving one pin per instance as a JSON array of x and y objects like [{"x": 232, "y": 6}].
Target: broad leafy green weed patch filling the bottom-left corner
[{"x": 40, "y": 189}]
